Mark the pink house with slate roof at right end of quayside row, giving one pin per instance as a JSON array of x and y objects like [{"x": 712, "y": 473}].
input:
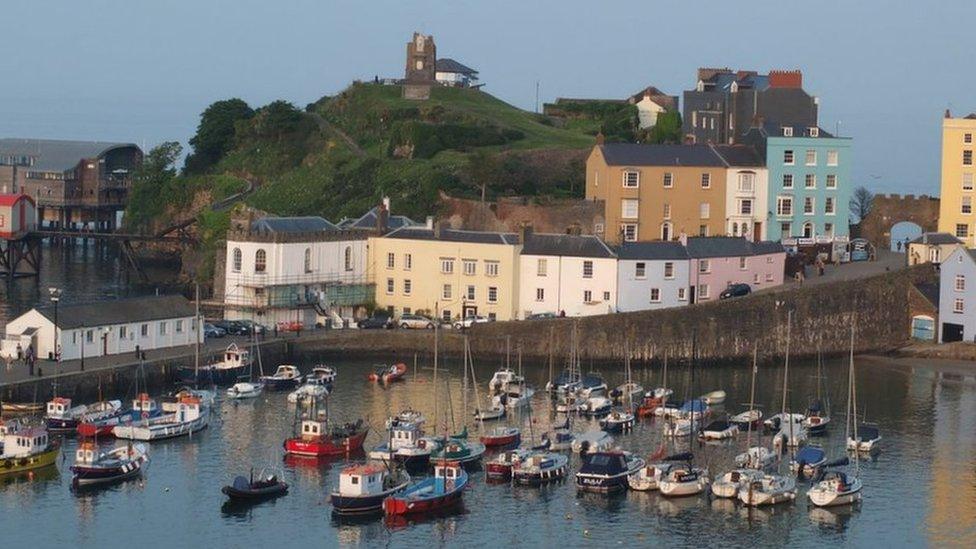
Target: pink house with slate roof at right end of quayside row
[{"x": 720, "y": 261}]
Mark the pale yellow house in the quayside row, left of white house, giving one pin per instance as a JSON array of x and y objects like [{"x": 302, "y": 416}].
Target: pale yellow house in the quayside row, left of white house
[{"x": 446, "y": 273}]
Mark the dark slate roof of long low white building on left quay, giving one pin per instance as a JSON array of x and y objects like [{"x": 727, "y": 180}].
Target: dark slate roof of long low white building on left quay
[{"x": 119, "y": 311}]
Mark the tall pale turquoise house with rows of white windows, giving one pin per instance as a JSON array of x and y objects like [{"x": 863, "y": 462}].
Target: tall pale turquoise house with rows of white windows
[{"x": 810, "y": 184}]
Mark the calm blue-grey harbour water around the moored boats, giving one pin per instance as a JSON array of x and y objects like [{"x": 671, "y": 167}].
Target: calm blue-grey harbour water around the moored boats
[{"x": 920, "y": 490}]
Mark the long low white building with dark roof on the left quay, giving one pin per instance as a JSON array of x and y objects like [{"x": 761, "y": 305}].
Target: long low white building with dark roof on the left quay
[{"x": 104, "y": 327}]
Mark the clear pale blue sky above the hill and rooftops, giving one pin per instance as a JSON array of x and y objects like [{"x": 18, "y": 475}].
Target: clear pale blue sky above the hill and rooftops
[{"x": 143, "y": 71}]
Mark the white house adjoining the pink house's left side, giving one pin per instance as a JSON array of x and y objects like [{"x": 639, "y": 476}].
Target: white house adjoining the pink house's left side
[{"x": 652, "y": 275}]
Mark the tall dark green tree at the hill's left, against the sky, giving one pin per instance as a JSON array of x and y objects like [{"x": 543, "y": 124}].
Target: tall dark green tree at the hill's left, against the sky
[{"x": 215, "y": 134}]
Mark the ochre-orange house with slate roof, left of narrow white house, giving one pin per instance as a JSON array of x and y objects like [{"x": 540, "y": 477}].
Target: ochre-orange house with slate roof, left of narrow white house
[{"x": 658, "y": 192}]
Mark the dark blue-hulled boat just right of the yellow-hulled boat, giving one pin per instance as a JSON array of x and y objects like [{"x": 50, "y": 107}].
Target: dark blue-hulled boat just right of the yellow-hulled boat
[{"x": 97, "y": 468}]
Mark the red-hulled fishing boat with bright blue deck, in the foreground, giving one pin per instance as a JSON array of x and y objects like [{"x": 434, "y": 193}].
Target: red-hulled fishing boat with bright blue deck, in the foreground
[{"x": 441, "y": 491}]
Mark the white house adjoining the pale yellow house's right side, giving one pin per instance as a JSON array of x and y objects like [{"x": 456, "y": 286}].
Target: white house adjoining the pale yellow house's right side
[{"x": 574, "y": 275}]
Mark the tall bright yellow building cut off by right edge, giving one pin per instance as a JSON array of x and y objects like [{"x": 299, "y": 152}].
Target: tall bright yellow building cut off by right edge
[{"x": 956, "y": 206}]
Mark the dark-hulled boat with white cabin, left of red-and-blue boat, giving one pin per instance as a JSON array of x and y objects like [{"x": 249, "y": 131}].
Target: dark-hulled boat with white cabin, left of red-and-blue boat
[{"x": 363, "y": 488}]
